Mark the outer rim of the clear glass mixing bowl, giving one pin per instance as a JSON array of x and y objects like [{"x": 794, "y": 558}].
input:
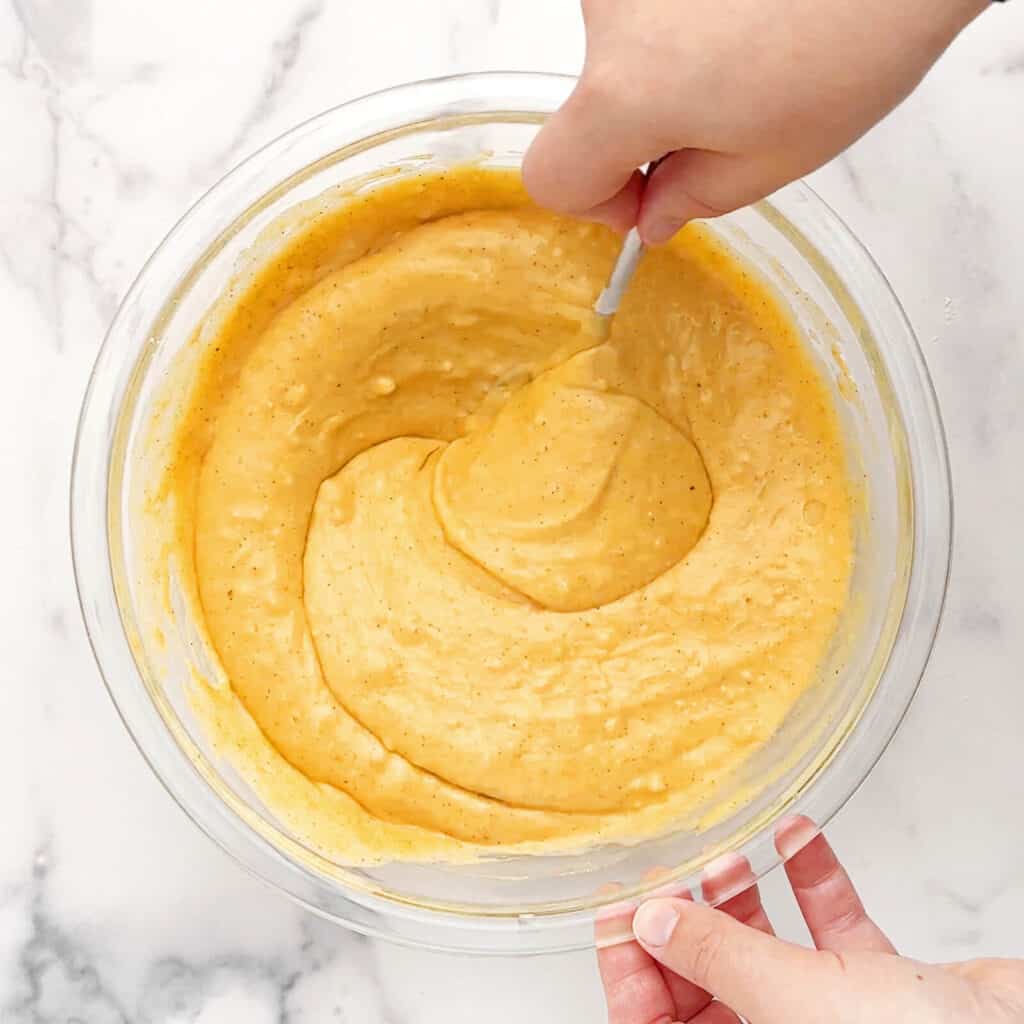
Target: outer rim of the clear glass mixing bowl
[{"x": 393, "y": 109}]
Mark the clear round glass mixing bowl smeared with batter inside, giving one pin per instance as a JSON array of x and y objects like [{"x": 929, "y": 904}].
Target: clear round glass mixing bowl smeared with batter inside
[{"x": 867, "y": 353}]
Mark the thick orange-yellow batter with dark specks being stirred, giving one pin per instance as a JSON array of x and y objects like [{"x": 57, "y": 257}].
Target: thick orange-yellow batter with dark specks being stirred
[{"x": 478, "y": 580}]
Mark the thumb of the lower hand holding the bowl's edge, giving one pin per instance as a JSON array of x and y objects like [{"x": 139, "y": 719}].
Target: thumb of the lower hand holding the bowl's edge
[{"x": 763, "y": 979}]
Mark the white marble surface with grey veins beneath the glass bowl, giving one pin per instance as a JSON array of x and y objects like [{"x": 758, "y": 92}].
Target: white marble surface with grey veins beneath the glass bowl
[{"x": 117, "y": 114}]
